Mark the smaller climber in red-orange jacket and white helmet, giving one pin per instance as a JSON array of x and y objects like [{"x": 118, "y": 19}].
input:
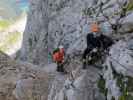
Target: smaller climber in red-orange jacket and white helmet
[{"x": 58, "y": 57}]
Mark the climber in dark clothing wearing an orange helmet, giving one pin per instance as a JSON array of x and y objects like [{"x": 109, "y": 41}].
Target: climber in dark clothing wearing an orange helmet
[{"x": 95, "y": 43}]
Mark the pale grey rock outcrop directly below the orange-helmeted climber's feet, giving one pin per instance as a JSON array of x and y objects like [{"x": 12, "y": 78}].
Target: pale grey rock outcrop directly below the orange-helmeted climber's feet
[{"x": 79, "y": 85}]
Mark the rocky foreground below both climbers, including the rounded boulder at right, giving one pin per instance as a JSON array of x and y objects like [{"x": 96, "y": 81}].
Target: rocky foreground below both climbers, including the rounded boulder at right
[{"x": 23, "y": 81}]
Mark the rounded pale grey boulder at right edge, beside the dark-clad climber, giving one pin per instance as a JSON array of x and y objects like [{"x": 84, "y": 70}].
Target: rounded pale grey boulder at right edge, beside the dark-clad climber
[{"x": 121, "y": 56}]
